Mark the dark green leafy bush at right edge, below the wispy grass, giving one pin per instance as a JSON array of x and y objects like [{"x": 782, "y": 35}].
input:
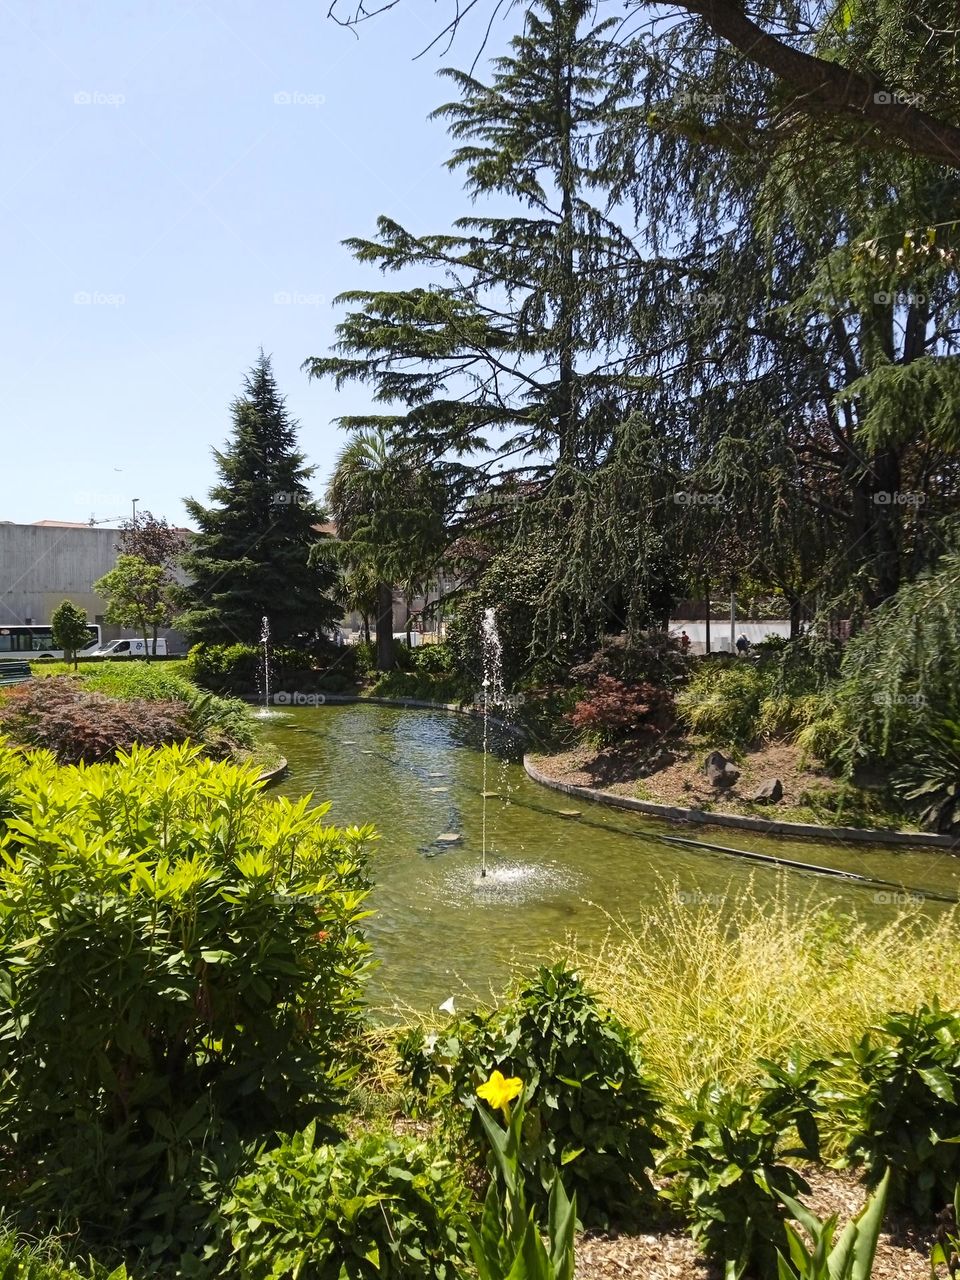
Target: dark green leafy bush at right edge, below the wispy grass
[{"x": 904, "y": 1107}]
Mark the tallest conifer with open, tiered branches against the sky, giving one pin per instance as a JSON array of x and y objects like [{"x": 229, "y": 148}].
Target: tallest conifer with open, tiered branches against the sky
[{"x": 520, "y": 342}]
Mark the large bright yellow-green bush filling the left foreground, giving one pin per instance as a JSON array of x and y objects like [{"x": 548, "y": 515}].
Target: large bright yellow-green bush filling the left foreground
[{"x": 181, "y": 975}]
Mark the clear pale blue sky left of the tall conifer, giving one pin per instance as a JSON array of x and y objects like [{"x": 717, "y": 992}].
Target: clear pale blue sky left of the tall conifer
[{"x": 156, "y": 200}]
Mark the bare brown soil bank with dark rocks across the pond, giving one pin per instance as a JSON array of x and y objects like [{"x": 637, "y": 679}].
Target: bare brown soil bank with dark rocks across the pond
[{"x": 678, "y": 776}]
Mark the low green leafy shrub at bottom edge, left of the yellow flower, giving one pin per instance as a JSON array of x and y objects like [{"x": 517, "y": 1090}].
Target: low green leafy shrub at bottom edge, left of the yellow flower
[{"x": 373, "y": 1209}]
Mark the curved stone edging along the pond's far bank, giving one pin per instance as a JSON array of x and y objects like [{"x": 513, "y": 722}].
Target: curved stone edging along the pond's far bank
[{"x": 675, "y": 813}]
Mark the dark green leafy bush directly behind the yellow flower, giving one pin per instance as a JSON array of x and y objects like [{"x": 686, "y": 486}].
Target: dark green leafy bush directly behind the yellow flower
[{"x": 592, "y": 1110}]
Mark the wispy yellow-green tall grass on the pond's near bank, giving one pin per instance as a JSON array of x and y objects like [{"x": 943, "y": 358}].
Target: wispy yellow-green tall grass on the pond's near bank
[{"x": 715, "y": 986}]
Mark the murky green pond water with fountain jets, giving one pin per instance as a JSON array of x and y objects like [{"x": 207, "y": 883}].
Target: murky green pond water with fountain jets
[{"x": 441, "y": 929}]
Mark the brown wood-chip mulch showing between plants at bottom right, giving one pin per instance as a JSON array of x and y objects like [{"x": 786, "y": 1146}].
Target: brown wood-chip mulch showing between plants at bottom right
[{"x": 903, "y": 1252}]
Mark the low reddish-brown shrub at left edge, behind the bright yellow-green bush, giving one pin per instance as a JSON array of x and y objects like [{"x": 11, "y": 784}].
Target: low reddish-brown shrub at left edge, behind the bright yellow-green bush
[{"x": 77, "y": 726}]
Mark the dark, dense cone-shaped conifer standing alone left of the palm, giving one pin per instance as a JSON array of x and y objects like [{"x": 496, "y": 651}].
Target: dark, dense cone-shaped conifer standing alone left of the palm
[{"x": 252, "y": 554}]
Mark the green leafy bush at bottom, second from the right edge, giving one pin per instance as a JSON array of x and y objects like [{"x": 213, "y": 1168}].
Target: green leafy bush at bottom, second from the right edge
[{"x": 732, "y": 1165}]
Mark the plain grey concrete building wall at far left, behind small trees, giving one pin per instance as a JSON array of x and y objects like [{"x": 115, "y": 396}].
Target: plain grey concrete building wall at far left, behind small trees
[{"x": 44, "y": 565}]
